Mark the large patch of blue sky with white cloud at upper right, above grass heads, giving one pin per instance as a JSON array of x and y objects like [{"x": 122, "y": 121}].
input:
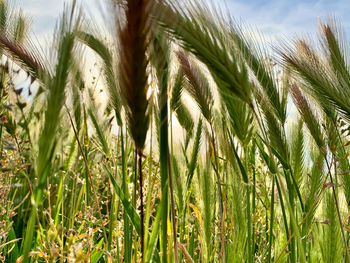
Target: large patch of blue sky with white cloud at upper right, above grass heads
[{"x": 285, "y": 18}]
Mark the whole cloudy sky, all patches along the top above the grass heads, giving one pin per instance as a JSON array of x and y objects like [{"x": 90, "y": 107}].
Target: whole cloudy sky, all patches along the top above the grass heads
[{"x": 274, "y": 19}]
